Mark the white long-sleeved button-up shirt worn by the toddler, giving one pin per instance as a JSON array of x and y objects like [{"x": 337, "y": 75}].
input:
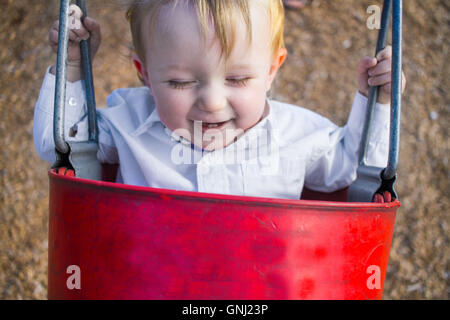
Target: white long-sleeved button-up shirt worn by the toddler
[{"x": 290, "y": 148}]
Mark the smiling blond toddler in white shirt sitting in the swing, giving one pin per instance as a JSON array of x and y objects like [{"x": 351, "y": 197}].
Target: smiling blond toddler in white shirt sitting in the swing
[{"x": 203, "y": 121}]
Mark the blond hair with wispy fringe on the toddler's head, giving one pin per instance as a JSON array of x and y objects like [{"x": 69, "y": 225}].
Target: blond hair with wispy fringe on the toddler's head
[{"x": 223, "y": 14}]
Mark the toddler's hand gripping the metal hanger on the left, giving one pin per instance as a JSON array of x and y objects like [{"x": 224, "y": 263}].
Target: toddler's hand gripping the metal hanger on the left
[{"x": 79, "y": 30}]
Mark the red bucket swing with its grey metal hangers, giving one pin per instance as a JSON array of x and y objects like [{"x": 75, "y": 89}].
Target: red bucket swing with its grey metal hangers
[{"x": 114, "y": 241}]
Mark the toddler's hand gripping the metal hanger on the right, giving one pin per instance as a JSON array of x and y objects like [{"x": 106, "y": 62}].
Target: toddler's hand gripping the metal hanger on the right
[{"x": 377, "y": 72}]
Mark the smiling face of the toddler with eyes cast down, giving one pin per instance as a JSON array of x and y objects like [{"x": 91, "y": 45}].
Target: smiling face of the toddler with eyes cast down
[{"x": 194, "y": 86}]
